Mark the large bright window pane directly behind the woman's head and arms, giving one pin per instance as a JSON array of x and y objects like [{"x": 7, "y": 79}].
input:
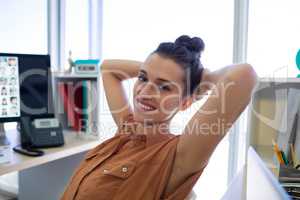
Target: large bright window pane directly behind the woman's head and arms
[{"x": 132, "y": 29}]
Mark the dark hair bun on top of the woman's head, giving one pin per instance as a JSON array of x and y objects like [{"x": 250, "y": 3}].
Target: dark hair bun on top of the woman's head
[{"x": 194, "y": 44}]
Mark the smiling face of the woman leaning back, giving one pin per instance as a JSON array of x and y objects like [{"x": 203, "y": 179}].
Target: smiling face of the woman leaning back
[{"x": 158, "y": 91}]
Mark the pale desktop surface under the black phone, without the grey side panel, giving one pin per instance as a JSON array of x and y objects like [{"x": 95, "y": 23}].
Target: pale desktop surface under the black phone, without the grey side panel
[{"x": 73, "y": 145}]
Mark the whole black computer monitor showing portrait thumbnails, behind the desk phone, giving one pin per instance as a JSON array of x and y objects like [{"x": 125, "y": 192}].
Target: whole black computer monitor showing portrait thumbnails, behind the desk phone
[{"x": 27, "y": 81}]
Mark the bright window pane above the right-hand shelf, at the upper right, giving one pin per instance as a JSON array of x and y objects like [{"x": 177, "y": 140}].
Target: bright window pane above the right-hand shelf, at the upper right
[{"x": 274, "y": 30}]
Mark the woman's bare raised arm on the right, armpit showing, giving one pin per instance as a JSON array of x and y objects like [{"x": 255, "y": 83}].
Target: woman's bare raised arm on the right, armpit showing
[{"x": 231, "y": 89}]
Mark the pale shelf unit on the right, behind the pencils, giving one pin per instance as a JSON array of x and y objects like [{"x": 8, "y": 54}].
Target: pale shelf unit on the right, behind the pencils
[{"x": 268, "y": 105}]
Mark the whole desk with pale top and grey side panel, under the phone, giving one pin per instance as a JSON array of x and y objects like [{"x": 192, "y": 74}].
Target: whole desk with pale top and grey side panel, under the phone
[{"x": 45, "y": 177}]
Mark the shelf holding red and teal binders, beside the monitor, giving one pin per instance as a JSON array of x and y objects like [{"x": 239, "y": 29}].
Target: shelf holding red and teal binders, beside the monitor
[{"x": 66, "y": 98}]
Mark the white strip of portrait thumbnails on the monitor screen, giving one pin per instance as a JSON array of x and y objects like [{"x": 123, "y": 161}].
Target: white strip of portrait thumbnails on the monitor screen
[{"x": 9, "y": 88}]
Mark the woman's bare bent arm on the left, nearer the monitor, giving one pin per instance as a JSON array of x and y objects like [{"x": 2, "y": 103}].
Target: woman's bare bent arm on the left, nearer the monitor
[{"x": 113, "y": 73}]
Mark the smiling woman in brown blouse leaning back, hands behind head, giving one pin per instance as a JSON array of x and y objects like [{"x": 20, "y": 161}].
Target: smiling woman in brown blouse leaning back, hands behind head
[{"x": 144, "y": 160}]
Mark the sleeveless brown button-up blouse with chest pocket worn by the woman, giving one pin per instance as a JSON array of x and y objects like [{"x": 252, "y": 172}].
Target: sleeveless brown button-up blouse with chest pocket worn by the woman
[{"x": 129, "y": 166}]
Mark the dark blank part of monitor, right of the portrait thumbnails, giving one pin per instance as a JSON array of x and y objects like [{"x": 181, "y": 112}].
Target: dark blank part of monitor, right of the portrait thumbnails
[{"x": 35, "y": 83}]
